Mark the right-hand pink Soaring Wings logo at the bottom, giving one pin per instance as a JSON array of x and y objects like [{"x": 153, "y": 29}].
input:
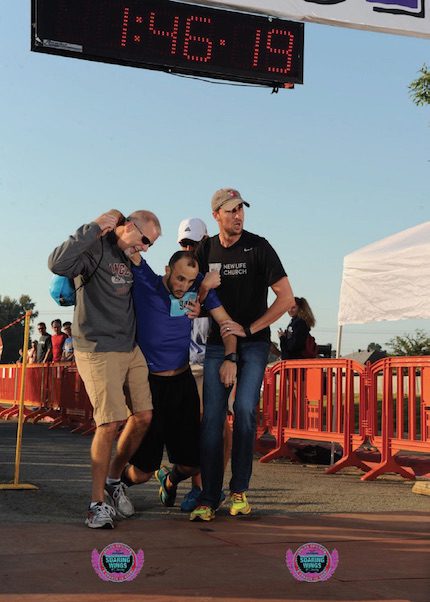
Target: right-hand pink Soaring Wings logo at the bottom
[{"x": 312, "y": 562}]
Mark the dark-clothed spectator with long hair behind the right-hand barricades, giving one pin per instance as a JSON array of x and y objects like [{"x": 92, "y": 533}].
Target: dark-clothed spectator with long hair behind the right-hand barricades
[{"x": 293, "y": 339}]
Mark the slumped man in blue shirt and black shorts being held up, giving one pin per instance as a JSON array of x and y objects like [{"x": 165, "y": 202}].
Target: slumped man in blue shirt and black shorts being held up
[{"x": 163, "y": 305}]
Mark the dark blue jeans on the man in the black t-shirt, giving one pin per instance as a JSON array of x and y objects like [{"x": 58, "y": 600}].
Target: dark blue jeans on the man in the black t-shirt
[{"x": 250, "y": 372}]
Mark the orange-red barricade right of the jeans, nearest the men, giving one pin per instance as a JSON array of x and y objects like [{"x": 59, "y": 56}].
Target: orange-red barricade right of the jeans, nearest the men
[{"x": 315, "y": 400}]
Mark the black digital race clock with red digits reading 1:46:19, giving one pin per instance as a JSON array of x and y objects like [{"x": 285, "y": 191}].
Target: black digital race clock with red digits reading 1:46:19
[{"x": 172, "y": 36}]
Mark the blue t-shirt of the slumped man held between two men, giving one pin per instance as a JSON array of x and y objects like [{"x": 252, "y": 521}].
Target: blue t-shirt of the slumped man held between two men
[{"x": 163, "y": 336}]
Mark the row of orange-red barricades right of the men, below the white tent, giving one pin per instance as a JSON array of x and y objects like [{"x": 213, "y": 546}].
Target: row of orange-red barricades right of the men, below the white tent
[{"x": 379, "y": 414}]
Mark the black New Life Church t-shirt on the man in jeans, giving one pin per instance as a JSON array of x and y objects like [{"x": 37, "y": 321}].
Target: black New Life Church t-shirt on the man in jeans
[{"x": 248, "y": 268}]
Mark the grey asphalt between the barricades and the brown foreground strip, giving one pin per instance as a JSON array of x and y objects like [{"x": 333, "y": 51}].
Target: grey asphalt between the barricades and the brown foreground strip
[{"x": 57, "y": 461}]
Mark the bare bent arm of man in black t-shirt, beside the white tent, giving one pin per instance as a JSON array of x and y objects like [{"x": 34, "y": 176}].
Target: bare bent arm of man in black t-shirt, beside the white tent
[{"x": 283, "y": 302}]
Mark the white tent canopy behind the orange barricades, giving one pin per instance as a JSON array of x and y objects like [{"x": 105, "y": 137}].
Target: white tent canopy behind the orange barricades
[{"x": 388, "y": 279}]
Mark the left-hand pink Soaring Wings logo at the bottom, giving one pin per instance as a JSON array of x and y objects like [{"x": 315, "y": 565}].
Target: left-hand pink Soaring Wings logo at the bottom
[{"x": 117, "y": 562}]
